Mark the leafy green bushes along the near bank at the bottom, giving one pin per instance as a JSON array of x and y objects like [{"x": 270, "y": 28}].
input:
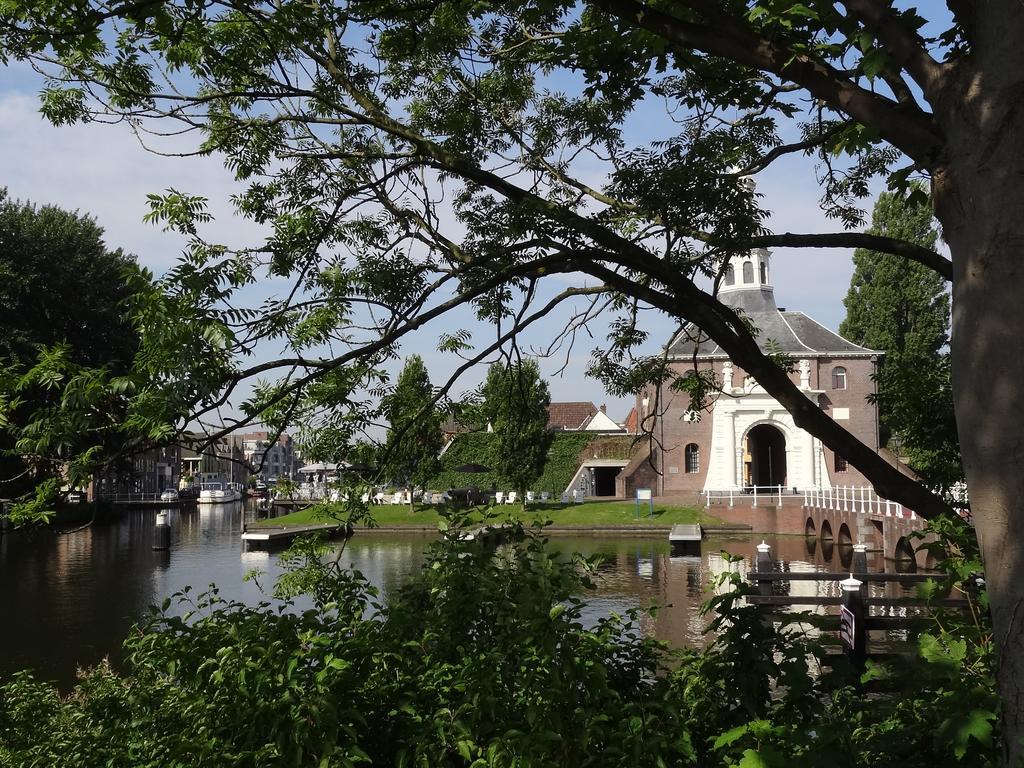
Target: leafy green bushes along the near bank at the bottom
[{"x": 485, "y": 661}]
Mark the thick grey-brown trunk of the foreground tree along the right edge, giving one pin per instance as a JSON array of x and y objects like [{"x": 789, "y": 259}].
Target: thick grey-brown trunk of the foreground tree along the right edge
[{"x": 979, "y": 197}]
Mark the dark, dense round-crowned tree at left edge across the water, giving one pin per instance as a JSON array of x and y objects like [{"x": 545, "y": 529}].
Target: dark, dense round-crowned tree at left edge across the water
[{"x": 62, "y": 313}]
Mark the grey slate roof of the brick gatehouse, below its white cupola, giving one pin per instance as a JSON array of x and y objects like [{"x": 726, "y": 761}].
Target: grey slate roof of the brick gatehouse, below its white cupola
[{"x": 794, "y": 333}]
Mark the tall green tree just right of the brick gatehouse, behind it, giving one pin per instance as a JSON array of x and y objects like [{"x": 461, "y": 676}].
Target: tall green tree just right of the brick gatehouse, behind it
[{"x": 904, "y": 310}]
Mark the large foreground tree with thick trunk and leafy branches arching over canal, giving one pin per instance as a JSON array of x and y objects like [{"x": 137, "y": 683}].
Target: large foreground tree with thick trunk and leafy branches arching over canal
[{"x": 409, "y": 158}]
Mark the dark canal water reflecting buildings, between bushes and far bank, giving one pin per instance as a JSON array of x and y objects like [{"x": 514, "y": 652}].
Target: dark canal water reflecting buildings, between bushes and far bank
[{"x": 72, "y": 599}]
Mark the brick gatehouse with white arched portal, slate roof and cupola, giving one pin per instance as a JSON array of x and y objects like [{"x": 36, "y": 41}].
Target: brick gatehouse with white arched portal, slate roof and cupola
[{"x": 746, "y": 438}]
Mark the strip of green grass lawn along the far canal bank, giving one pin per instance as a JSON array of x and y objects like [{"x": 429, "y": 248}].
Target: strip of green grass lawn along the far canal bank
[{"x": 581, "y": 516}]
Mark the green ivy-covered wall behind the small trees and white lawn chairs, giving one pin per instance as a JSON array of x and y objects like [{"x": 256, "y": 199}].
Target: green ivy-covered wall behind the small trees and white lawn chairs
[{"x": 479, "y": 448}]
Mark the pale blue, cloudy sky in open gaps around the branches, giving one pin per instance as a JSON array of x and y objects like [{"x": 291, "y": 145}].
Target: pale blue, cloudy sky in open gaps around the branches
[{"x": 103, "y": 170}]
